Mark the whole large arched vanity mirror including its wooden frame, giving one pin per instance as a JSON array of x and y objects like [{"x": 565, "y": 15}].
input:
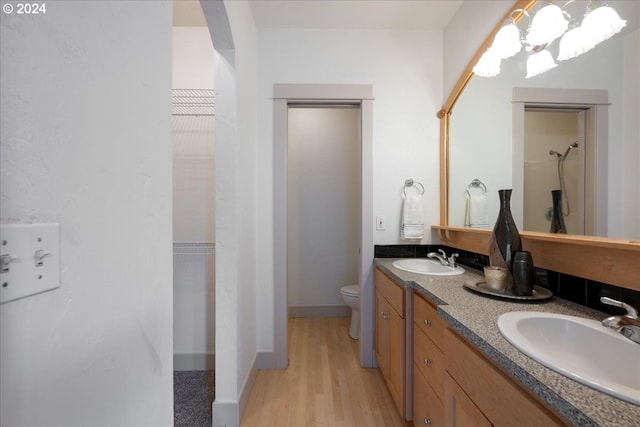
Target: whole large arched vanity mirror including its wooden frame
[{"x": 578, "y": 123}]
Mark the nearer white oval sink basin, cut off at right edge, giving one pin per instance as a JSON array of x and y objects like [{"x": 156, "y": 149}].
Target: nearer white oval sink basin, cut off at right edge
[{"x": 580, "y": 349}]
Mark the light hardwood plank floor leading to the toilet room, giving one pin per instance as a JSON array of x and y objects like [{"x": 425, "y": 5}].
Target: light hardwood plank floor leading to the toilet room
[{"x": 324, "y": 384}]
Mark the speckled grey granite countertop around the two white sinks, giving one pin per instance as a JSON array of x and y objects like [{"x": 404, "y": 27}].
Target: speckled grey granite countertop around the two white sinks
[{"x": 475, "y": 317}]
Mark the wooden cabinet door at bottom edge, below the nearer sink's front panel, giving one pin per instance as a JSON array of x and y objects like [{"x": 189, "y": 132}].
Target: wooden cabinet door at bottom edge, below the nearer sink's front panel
[{"x": 459, "y": 409}]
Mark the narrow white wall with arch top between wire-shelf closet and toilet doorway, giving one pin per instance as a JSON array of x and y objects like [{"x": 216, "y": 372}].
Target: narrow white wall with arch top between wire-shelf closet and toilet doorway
[{"x": 234, "y": 37}]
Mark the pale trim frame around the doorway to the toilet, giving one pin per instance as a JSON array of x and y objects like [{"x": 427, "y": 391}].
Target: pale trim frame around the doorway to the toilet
[{"x": 284, "y": 94}]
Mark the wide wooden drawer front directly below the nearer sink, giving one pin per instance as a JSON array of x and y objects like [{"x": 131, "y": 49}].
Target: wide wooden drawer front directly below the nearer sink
[{"x": 500, "y": 398}]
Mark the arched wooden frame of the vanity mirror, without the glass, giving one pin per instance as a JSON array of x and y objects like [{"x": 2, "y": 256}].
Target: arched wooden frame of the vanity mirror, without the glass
[{"x": 608, "y": 260}]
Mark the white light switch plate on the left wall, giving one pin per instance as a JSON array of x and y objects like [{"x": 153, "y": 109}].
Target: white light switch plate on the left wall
[{"x": 32, "y": 260}]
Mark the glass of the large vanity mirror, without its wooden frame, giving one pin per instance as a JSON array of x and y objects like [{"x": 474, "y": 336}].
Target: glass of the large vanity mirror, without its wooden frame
[{"x": 573, "y": 128}]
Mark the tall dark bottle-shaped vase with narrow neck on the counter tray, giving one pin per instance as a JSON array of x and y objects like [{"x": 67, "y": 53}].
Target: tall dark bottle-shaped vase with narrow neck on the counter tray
[{"x": 505, "y": 239}]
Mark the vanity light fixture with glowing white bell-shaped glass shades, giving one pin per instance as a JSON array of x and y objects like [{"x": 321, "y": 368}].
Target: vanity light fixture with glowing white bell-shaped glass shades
[{"x": 551, "y": 22}]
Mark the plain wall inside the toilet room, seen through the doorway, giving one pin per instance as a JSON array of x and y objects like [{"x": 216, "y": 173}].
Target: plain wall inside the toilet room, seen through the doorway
[{"x": 323, "y": 212}]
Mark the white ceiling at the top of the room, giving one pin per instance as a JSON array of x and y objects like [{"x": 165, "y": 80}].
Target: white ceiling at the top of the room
[{"x": 335, "y": 14}]
